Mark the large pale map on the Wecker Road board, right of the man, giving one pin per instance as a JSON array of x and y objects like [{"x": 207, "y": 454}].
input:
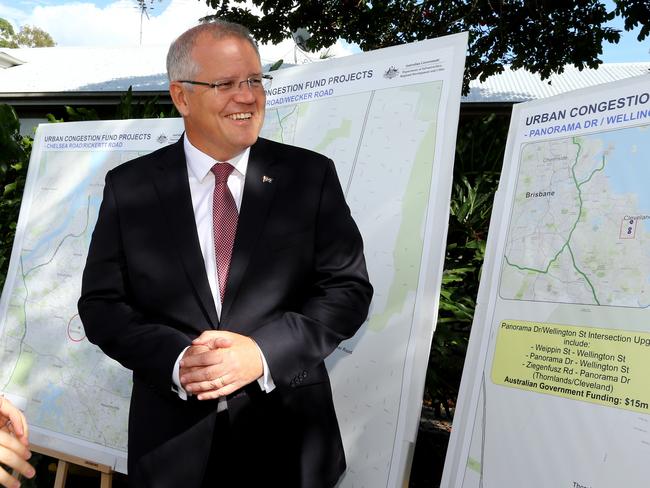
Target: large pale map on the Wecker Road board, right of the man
[{"x": 389, "y": 202}]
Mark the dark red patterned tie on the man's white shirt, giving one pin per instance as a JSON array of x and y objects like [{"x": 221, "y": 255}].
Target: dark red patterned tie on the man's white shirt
[{"x": 224, "y": 222}]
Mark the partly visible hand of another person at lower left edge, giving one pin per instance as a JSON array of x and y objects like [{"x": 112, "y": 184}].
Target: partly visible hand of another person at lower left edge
[{"x": 13, "y": 444}]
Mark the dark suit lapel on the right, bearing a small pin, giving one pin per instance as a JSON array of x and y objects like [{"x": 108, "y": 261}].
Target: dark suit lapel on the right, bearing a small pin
[{"x": 259, "y": 189}]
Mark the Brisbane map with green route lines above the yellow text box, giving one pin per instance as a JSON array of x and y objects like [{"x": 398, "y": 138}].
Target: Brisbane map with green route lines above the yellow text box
[{"x": 579, "y": 231}]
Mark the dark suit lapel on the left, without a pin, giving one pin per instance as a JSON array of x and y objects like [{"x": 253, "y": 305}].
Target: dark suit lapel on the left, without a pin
[{"x": 171, "y": 182}]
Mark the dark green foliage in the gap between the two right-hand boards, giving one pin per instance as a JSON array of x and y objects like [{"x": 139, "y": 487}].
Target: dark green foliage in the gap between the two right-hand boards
[{"x": 479, "y": 155}]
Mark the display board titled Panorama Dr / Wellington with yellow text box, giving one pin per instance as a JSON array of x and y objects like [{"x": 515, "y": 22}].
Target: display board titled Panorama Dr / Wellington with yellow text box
[{"x": 555, "y": 390}]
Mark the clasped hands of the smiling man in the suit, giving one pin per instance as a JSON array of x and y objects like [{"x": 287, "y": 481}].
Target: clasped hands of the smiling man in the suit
[{"x": 219, "y": 363}]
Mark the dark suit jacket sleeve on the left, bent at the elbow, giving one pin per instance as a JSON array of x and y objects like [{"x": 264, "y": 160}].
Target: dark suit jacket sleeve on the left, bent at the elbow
[{"x": 107, "y": 310}]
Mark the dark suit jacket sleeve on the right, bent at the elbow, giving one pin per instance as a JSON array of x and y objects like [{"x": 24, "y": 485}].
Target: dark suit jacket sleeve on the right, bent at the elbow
[{"x": 338, "y": 300}]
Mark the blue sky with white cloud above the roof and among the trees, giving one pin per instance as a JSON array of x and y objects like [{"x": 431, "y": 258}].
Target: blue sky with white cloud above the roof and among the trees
[{"x": 117, "y": 23}]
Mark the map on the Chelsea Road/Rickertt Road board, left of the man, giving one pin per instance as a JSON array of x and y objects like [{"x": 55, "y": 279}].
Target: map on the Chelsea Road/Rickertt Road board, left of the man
[{"x": 64, "y": 385}]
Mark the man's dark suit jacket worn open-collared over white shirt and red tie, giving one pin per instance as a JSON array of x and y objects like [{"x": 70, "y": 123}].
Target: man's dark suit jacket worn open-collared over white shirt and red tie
[{"x": 297, "y": 285}]
